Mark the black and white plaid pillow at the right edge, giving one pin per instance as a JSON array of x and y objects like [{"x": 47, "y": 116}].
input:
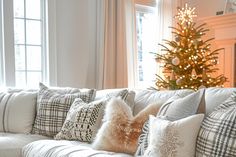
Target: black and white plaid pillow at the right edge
[{"x": 217, "y": 136}]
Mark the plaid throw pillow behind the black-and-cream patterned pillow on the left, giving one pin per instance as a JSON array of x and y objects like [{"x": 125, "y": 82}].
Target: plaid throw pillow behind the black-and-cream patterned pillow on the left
[{"x": 52, "y": 108}]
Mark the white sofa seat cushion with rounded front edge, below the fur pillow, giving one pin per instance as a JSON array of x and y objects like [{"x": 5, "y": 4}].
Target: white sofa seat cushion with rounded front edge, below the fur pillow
[{"x": 62, "y": 148}]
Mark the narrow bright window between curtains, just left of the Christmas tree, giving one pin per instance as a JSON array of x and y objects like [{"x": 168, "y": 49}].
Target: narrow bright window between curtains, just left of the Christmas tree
[{"x": 146, "y": 23}]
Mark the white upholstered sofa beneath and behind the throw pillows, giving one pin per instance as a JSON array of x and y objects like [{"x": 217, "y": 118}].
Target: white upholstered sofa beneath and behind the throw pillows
[{"x": 17, "y": 144}]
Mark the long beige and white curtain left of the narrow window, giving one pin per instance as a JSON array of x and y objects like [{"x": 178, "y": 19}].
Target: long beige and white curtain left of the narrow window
[{"x": 115, "y": 43}]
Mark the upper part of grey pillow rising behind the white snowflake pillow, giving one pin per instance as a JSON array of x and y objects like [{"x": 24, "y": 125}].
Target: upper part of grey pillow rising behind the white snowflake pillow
[{"x": 177, "y": 108}]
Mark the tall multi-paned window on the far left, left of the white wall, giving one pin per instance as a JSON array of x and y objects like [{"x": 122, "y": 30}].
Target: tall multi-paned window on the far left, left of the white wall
[{"x": 29, "y": 39}]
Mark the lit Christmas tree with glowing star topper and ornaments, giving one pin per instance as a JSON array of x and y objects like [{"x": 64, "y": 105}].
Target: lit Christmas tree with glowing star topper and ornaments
[{"x": 188, "y": 61}]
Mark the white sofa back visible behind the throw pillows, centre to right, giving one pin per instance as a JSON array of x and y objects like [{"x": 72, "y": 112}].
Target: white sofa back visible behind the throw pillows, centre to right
[{"x": 213, "y": 97}]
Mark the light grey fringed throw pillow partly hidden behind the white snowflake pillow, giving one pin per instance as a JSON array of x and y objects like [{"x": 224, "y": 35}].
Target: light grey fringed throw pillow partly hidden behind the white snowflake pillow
[{"x": 175, "y": 108}]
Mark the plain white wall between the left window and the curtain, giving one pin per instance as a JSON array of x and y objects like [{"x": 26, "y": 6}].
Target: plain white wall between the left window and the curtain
[{"x": 73, "y": 38}]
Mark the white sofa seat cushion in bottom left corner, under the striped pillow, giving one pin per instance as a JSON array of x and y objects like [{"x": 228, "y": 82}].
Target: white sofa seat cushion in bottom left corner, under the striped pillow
[{"x": 11, "y": 144}]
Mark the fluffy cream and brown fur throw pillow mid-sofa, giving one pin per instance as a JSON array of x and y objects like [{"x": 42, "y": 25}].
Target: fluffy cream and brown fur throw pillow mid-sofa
[{"x": 120, "y": 130}]
